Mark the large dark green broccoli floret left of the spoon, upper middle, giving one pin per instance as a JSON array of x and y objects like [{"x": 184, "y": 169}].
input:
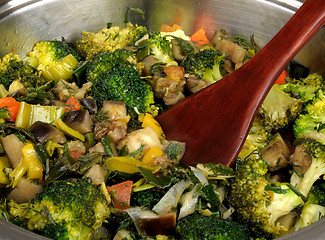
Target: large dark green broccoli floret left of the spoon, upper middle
[{"x": 114, "y": 77}]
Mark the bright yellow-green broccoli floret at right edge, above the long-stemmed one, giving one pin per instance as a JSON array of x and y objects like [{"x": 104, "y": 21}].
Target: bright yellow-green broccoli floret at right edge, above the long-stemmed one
[{"x": 311, "y": 123}]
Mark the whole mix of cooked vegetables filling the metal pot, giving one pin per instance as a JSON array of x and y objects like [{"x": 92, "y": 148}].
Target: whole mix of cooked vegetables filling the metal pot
[{"x": 82, "y": 156}]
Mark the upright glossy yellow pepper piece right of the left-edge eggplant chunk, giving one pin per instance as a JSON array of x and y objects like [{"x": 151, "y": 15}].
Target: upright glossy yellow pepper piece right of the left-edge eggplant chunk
[{"x": 30, "y": 159}]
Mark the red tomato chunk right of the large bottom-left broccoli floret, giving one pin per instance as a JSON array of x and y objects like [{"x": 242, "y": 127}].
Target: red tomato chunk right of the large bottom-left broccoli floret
[{"x": 122, "y": 196}]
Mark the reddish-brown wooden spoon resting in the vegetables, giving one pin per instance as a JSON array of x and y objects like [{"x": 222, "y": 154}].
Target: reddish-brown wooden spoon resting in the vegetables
[{"x": 215, "y": 121}]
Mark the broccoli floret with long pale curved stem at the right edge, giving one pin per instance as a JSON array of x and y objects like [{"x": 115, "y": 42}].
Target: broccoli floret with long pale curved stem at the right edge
[{"x": 316, "y": 169}]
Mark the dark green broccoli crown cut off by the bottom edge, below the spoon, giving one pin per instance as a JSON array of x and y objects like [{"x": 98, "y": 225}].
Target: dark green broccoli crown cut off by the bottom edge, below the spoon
[{"x": 201, "y": 227}]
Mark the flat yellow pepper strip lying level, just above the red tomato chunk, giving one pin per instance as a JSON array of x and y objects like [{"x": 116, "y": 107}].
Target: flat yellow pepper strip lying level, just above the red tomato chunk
[{"x": 126, "y": 165}]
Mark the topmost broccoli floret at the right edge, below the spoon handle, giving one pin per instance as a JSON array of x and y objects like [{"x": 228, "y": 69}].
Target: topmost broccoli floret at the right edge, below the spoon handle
[{"x": 304, "y": 88}]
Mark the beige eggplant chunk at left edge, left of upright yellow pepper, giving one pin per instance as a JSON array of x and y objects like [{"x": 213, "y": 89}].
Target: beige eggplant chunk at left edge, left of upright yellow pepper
[{"x": 12, "y": 146}]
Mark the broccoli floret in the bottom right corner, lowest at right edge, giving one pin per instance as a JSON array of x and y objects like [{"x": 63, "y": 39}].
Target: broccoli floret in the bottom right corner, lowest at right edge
[{"x": 314, "y": 208}]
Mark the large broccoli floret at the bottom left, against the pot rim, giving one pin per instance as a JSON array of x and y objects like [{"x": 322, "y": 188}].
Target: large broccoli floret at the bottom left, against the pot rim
[{"x": 65, "y": 209}]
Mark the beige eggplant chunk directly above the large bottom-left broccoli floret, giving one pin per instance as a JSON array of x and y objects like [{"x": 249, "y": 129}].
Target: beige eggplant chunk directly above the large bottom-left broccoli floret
[{"x": 25, "y": 191}]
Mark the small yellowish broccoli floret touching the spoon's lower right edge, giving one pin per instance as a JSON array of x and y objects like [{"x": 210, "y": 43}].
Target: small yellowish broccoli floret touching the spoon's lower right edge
[{"x": 257, "y": 138}]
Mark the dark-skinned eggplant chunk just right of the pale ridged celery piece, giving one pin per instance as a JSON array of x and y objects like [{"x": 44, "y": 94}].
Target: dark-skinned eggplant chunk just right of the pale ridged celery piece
[{"x": 79, "y": 120}]
